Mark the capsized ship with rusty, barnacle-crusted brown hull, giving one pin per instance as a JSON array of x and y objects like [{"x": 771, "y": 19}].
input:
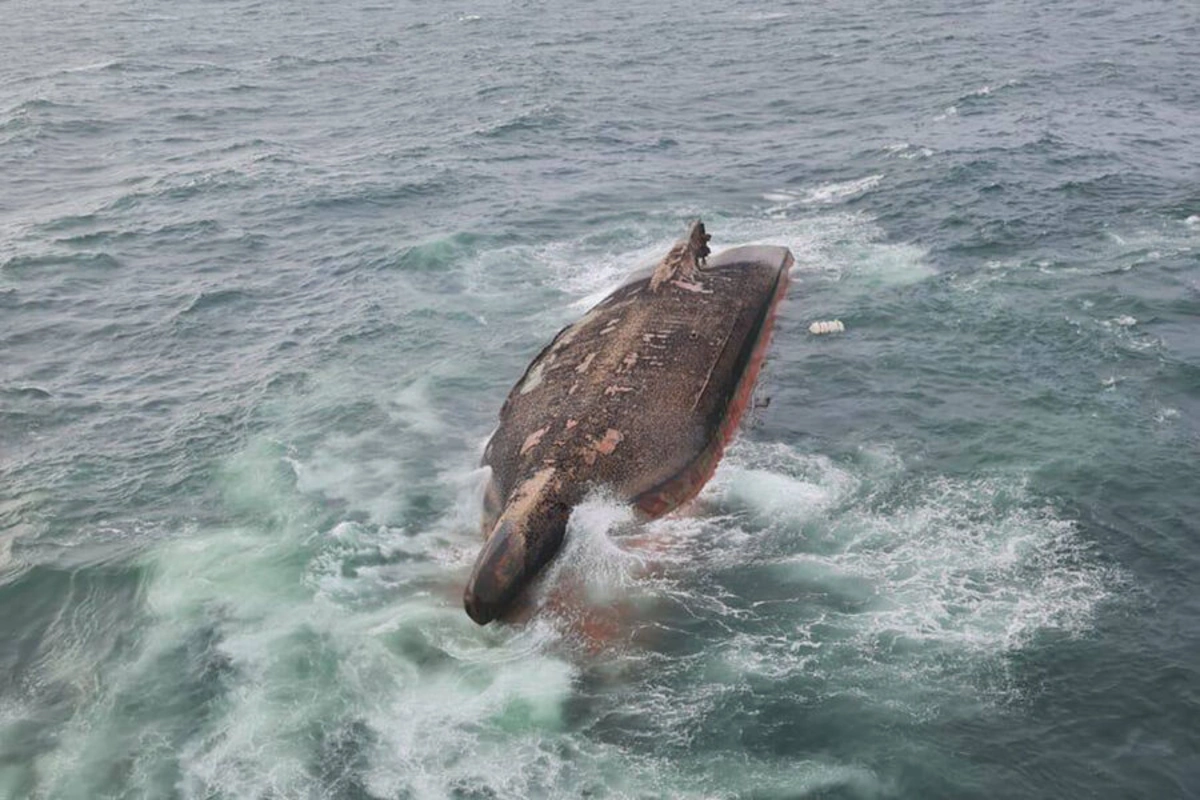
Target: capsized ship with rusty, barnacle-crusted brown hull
[{"x": 640, "y": 396}]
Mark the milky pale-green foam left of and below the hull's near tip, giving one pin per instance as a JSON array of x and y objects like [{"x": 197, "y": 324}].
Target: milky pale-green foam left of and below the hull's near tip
[{"x": 281, "y": 618}]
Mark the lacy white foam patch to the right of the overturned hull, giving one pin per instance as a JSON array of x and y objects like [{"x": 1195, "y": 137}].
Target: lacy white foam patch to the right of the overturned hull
[{"x": 905, "y": 593}]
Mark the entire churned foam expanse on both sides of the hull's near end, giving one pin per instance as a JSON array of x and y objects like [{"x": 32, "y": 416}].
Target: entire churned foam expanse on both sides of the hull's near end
[{"x": 356, "y": 634}]
